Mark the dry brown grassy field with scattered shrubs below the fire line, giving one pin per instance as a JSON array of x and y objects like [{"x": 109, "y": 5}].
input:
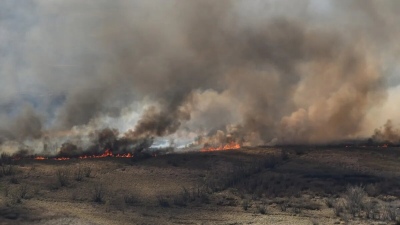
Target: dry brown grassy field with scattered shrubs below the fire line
[{"x": 246, "y": 186}]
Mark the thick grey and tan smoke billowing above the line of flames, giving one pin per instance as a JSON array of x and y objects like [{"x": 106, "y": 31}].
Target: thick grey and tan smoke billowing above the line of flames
[{"x": 309, "y": 72}]
